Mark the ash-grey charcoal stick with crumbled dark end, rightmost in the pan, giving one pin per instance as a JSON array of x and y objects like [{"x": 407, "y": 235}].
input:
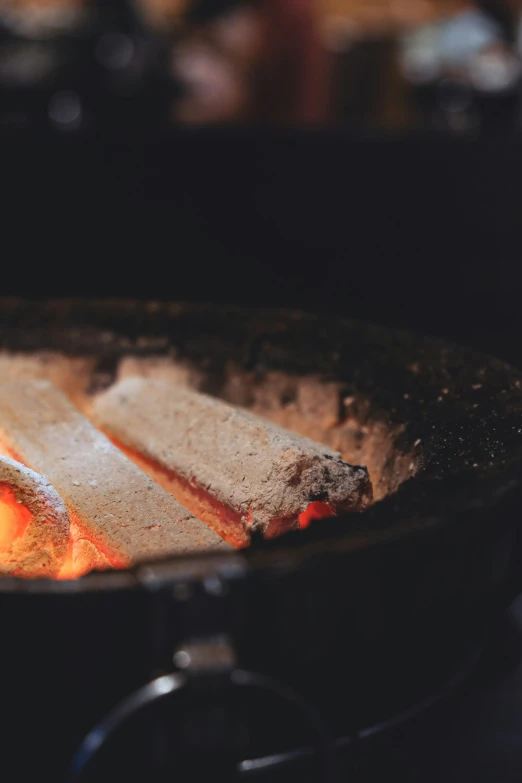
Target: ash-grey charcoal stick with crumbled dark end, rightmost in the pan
[{"x": 234, "y": 470}]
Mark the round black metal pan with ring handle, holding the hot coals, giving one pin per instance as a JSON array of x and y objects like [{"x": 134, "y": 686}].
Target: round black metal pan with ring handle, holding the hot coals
[{"x": 358, "y": 616}]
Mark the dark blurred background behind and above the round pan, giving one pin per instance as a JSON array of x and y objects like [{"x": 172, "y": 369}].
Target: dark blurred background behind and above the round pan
[{"x": 362, "y": 158}]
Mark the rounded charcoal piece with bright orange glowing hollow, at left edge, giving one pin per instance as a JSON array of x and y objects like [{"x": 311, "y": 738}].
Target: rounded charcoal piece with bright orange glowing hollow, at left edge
[{"x": 34, "y": 523}]
